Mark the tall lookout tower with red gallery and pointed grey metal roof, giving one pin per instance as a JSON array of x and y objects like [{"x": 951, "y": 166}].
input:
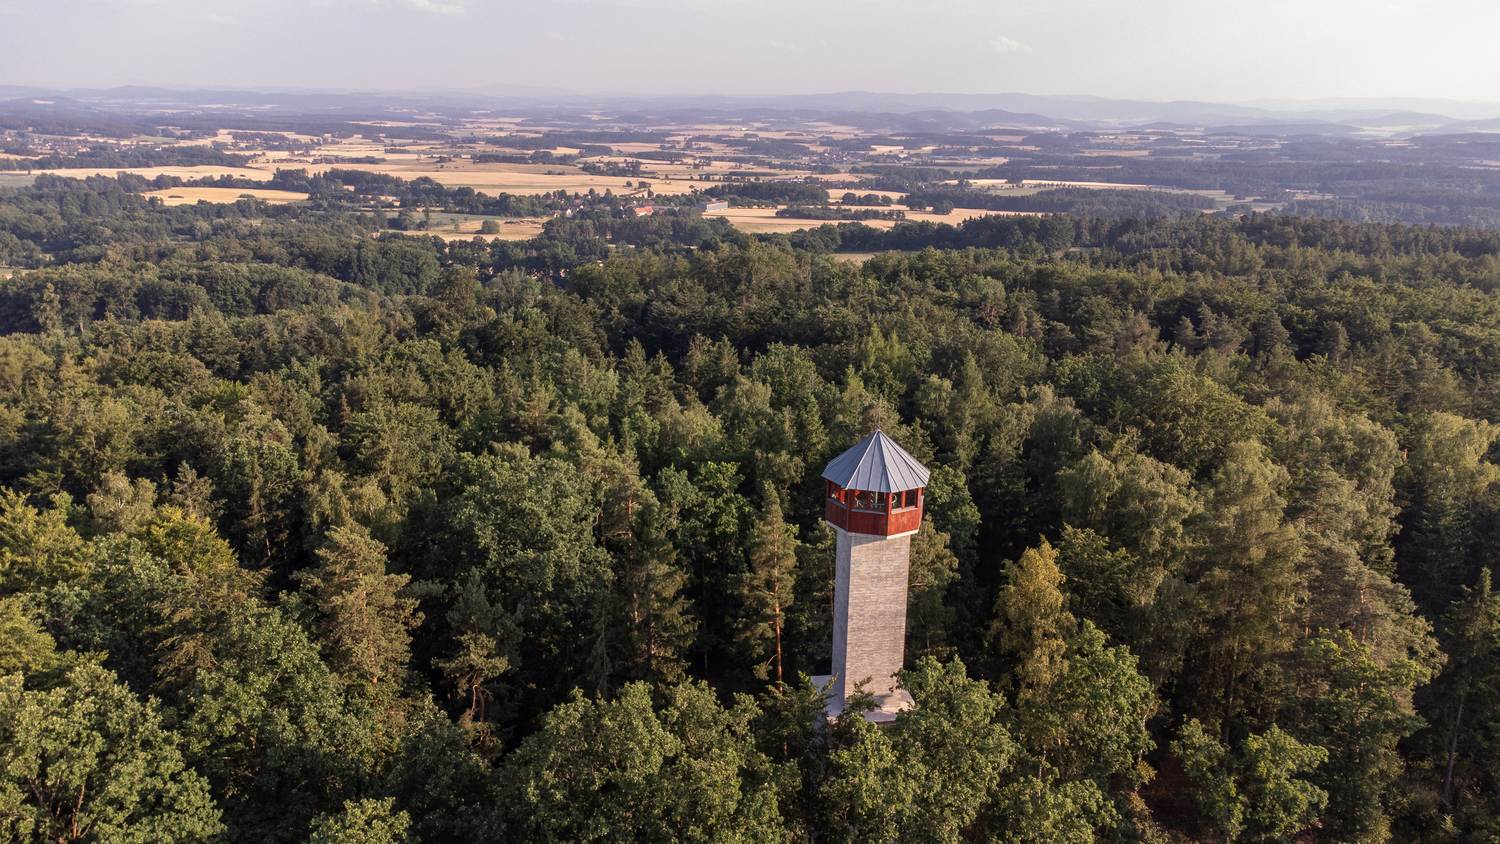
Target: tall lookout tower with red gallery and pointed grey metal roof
[{"x": 875, "y": 503}]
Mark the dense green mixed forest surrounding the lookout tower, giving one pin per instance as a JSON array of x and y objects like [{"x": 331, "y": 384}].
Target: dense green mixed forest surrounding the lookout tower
[{"x": 310, "y": 534}]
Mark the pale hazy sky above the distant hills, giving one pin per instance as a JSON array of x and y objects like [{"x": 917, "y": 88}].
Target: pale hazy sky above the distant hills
[{"x": 1219, "y": 50}]
